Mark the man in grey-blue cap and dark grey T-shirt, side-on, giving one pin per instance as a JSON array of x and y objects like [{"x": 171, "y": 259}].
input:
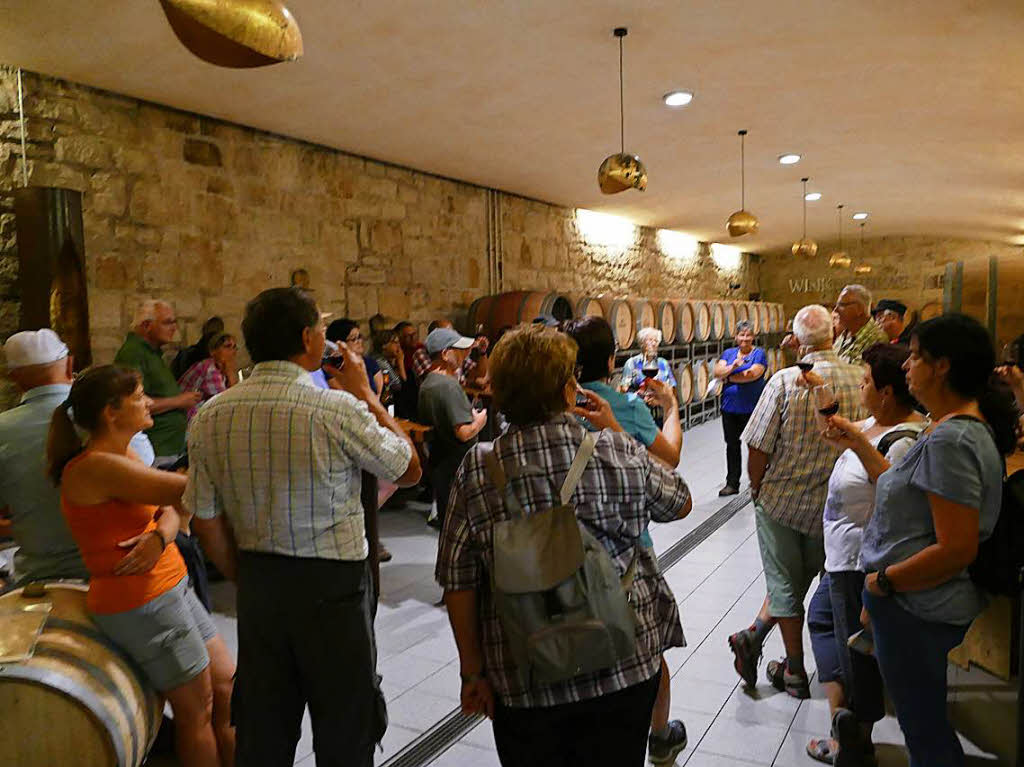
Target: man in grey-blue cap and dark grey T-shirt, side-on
[{"x": 445, "y": 406}]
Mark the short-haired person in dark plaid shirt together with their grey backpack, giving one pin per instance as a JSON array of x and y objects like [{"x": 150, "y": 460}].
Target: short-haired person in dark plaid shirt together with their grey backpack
[{"x": 531, "y": 524}]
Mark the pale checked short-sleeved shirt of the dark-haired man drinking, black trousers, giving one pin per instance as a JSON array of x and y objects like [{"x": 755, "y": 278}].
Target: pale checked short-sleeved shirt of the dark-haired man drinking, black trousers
[{"x": 282, "y": 459}]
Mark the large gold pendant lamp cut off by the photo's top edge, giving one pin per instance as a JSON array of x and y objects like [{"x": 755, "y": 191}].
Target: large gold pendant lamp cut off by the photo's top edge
[{"x": 238, "y": 34}]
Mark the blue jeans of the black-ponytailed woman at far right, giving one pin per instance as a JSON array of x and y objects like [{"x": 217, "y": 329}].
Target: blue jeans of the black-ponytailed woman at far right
[{"x": 912, "y": 654}]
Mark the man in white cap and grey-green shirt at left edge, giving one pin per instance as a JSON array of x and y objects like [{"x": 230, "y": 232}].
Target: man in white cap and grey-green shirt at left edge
[{"x": 40, "y": 366}]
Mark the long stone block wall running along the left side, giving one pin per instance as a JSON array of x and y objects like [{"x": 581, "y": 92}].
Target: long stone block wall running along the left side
[{"x": 207, "y": 214}]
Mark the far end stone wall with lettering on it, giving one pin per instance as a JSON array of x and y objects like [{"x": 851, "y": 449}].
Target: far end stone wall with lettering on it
[{"x": 908, "y": 269}]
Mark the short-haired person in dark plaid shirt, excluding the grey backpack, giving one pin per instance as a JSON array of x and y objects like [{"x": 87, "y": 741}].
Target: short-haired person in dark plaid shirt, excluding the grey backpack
[{"x": 598, "y": 718}]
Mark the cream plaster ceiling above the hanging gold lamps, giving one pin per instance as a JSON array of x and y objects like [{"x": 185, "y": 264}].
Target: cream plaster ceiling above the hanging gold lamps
[{"x": 912, "y": 110}]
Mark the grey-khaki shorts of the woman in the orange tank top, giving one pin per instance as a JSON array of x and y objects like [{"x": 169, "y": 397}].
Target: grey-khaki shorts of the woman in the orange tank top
[{"x": 166, "y": 636}]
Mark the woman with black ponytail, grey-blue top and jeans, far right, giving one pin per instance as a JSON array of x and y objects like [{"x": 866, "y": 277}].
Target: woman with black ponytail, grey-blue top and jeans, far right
[{"x": 931, "y": 513}]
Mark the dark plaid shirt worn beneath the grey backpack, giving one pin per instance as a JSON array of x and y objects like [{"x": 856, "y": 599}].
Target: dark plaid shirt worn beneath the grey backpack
[{"x": 621, "y": 491}]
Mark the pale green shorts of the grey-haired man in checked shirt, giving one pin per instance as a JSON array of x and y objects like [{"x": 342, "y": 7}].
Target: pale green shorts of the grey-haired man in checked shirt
[{"x": 792, "y": 561}]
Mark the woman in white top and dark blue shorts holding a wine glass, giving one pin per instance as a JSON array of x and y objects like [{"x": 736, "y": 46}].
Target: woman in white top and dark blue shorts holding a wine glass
[{"x": 851, "y": 680}]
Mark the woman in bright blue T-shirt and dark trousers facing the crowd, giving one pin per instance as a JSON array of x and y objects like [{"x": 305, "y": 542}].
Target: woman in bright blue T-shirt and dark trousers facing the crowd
[{"x": 742, "y": 371}]
